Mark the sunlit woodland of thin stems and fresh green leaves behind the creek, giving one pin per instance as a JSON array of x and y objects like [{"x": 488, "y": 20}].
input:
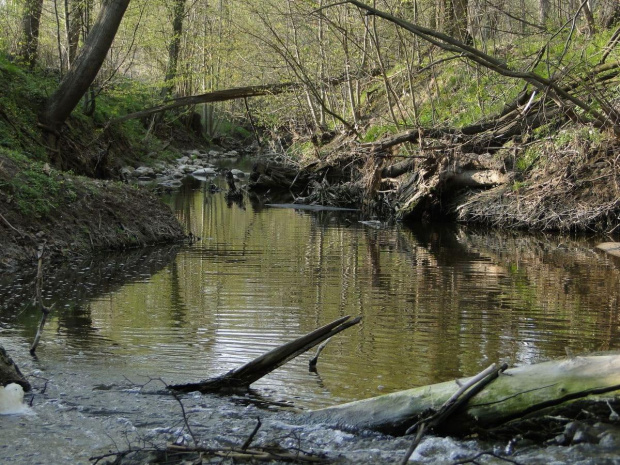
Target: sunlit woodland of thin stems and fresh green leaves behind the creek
[{"x": 350, "y": 66}]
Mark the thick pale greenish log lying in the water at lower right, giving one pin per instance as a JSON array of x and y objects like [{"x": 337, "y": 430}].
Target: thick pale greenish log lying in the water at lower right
[{"x": 549, "y": 388}]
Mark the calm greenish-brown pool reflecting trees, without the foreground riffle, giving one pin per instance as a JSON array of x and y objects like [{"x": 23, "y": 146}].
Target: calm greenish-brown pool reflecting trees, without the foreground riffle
[{"x": 438, "y": 302}]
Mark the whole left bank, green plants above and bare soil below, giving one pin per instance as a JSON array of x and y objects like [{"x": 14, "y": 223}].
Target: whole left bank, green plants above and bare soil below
[{"x": 61, "y": 204}]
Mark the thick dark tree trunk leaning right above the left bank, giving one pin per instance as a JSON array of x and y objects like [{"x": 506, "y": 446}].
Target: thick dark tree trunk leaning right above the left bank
[{"x": 87, "y": 64}]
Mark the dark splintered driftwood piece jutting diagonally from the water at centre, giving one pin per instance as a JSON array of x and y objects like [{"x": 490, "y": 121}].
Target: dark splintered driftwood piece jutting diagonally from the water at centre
[{"x": 242, "y": 377}]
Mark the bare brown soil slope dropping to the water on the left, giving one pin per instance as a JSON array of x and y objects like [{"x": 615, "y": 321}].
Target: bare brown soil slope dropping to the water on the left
[{"x": 82, "y": 215}]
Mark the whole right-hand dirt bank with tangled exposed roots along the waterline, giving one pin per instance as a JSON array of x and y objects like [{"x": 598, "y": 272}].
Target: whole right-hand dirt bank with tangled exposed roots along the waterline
[{"x": 568, "y": 183}]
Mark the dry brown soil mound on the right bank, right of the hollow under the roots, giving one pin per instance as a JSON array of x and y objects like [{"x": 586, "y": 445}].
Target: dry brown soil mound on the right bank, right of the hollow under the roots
[{"x": 568, "y": 191}]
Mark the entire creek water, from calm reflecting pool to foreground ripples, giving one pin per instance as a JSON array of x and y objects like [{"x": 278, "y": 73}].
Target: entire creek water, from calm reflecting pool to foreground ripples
[{"x": 438, "y": 303}]
